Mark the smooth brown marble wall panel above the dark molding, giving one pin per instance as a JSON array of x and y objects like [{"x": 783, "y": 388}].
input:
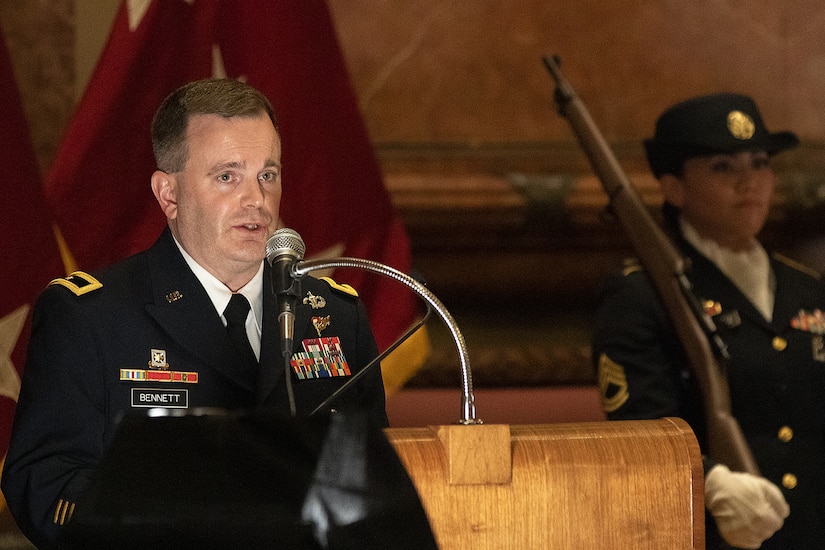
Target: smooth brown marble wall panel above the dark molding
[{"x": 470, "y": 72}]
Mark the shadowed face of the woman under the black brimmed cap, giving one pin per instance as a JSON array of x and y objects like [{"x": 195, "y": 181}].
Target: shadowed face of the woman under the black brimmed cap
[{"x": 725, "y": 197}]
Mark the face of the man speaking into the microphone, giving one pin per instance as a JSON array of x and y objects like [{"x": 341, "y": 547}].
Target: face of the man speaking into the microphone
[{"x": 224, "y": 204}]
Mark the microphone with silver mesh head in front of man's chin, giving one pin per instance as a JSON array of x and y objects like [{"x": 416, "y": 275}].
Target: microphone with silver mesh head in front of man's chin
[{"x": 283, "y": 250}]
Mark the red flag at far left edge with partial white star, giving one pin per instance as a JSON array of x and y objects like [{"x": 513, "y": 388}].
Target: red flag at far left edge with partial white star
[{"x": 27, "y": 243}]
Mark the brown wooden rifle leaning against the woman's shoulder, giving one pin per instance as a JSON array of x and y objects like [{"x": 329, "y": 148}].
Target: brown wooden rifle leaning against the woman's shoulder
[{"x": 667, "y": 270}]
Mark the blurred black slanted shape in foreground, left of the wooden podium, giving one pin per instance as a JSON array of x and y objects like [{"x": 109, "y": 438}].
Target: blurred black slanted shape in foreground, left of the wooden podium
[{"x": 249, "y": 480}]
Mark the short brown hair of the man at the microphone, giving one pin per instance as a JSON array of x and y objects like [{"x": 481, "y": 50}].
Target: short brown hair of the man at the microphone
[{"x": 212, "y": 96}]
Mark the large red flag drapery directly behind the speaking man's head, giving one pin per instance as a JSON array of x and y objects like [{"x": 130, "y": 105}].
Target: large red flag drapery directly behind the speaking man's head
[{"x": 333, "y": 190}]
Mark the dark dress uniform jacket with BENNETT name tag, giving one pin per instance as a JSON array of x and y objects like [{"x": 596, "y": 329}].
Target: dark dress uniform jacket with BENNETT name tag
[{"x": 150, "y": 336}]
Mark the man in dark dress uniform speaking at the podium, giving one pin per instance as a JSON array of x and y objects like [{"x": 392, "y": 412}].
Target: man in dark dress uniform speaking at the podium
[{"x": 150, "y": 330}]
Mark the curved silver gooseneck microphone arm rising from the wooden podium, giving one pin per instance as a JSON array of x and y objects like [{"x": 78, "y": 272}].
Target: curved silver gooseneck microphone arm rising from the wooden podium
[{"x": 468, "y": 408}]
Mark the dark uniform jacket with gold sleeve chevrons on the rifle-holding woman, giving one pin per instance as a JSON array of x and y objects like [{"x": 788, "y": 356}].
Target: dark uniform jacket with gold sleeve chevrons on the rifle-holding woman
[{"x": 776, "y": 375}]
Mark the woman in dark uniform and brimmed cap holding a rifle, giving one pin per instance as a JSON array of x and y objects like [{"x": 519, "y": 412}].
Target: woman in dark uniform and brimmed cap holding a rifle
[{"x": 711, "y": 155}]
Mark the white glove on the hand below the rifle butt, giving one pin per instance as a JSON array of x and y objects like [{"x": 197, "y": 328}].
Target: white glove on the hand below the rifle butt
[{"x": 748, "y": 509}]
